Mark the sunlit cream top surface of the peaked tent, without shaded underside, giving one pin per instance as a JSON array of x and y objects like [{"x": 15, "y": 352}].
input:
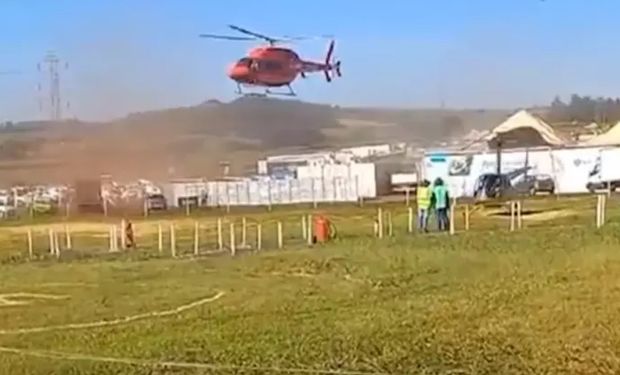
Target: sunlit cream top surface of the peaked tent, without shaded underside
[{"x": 523, "y": 120}]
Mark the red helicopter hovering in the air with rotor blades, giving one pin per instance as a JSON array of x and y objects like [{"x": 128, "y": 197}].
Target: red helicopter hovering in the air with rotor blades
[{"x": 271, "y": 66}]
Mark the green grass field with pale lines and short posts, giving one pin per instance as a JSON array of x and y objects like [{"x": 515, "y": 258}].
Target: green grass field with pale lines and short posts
[{"x": 542, "y": 300}]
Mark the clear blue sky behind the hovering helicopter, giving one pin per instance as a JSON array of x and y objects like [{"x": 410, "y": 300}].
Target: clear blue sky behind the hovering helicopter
[{"x": 133, "y": 55}]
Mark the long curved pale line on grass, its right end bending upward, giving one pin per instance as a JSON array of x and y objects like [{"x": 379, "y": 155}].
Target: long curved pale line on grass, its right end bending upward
[{"x": 104, "y": 323}]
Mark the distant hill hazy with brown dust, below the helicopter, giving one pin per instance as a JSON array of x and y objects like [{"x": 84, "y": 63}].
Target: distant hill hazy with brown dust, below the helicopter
[{"x": 191, "y": 141}]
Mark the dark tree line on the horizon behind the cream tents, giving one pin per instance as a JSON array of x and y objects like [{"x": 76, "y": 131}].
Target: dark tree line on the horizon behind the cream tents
[{"x": 585, "y": 109}]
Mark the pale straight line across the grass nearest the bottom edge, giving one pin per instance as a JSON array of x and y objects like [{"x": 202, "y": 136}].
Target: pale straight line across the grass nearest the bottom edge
[{"x": 178, "y": 365}]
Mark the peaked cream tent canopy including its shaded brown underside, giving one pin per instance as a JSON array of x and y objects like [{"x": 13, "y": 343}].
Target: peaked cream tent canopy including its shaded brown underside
[{"x": 525, "y": 130}]
